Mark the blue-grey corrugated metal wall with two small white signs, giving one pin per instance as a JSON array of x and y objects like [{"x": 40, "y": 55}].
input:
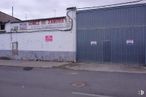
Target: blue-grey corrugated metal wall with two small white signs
[{"x": 118, "y": 26}]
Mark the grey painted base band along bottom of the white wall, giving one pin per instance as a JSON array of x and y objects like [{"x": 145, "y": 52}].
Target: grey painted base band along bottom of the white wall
[{"x": 39, "y": 55}]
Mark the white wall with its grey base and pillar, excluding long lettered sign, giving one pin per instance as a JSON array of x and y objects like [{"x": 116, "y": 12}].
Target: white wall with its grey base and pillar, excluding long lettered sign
[{"x": 50, "y": 45}]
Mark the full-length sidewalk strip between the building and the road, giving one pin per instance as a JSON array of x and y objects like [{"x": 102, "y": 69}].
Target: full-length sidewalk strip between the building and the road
[{"x": 76, "y": 66}]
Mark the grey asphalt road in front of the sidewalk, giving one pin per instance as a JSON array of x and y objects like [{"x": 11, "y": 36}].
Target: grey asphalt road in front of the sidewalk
[{"x": 16, "y": 82}]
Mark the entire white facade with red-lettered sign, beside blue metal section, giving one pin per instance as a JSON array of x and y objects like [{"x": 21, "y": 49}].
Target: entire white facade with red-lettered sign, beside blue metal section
[{"x": 52, "y": 39}]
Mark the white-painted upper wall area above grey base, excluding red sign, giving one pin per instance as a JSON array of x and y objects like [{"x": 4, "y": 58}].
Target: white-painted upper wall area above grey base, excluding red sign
[{"x": 35, "y": 41}]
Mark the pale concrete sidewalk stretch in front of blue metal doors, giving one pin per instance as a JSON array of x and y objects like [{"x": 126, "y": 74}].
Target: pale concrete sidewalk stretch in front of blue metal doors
[{"x": 107, "y": 67}]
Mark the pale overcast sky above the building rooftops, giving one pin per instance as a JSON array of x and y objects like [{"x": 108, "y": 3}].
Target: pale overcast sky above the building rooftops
[{"x": 32, "y": 9}]
